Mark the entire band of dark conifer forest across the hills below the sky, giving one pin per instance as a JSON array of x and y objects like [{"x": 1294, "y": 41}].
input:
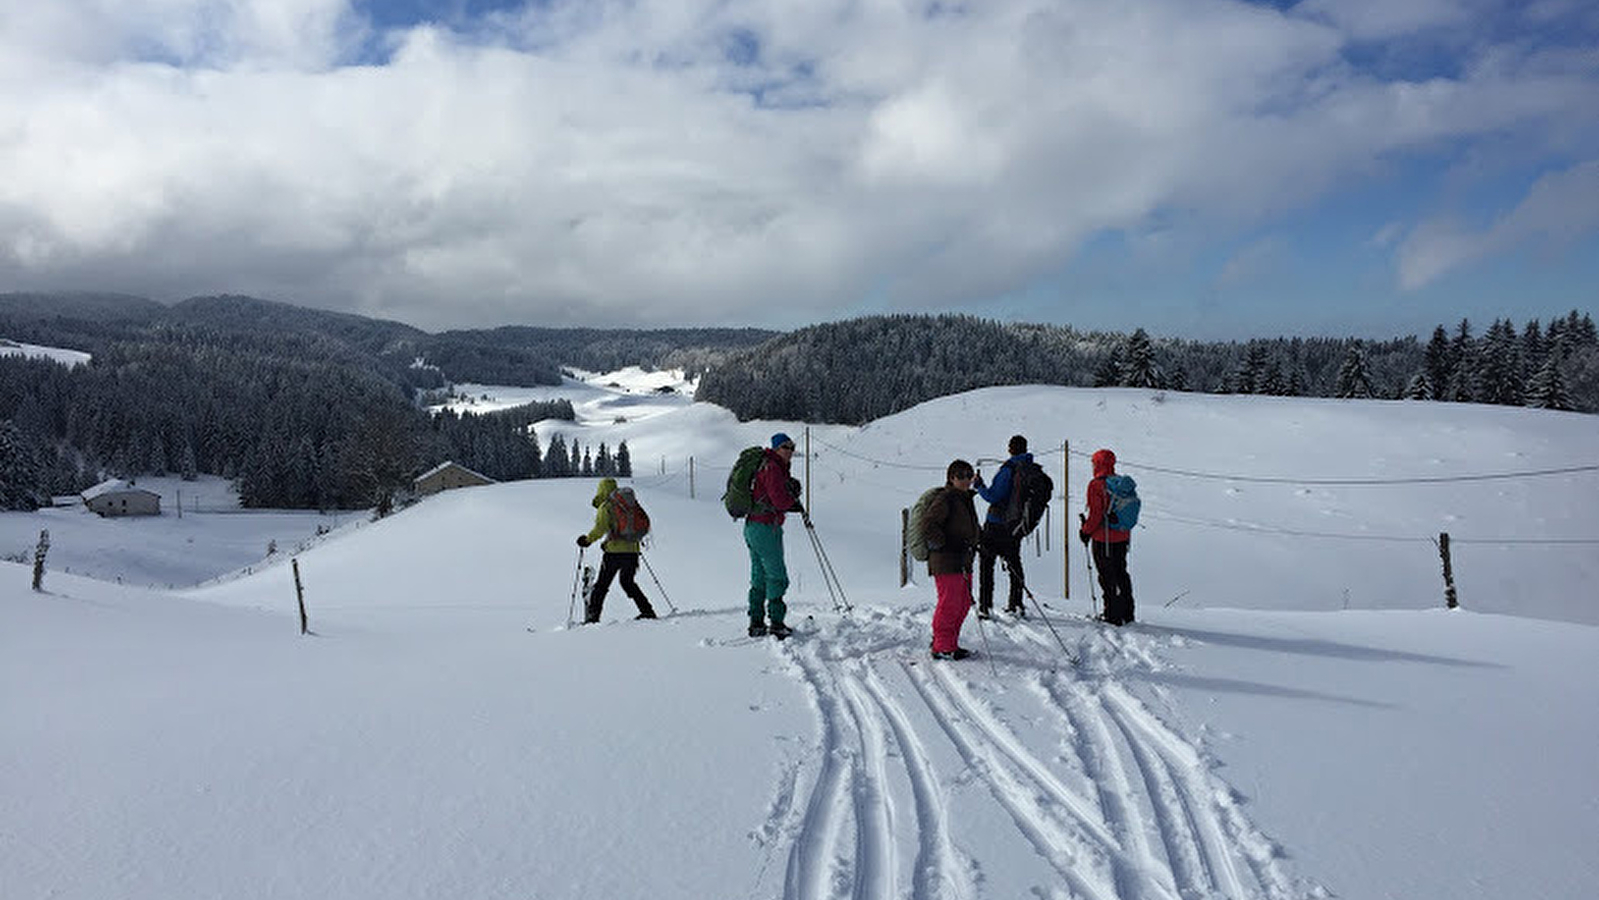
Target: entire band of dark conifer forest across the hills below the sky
[{"x": 316, "y": 410}]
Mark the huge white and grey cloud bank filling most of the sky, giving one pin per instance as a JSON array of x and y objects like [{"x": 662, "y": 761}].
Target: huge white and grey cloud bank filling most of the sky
[{"x": 685, "y": 161}]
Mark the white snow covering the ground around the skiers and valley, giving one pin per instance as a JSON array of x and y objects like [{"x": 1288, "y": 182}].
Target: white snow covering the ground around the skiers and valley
[{"x": 1294, "y": 715}]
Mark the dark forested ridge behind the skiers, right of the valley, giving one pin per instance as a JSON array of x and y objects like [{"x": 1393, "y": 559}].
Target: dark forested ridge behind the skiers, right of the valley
[{"x": 866, "y": 368}]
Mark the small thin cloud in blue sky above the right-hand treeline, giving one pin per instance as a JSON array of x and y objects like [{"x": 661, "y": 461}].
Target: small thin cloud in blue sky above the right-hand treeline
[{"x": 1560, "y": 210}]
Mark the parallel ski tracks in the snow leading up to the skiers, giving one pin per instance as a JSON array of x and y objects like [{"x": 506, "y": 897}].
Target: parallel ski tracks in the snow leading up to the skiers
[{"x": 1119, "y": 808}]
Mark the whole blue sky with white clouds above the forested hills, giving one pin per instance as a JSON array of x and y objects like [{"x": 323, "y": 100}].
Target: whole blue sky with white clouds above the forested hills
[{"x": 1214, "y": 169}]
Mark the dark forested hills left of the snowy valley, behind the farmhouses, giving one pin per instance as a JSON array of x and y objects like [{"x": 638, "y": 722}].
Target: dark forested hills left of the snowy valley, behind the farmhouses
[{"x": 305, "y": 408}]
